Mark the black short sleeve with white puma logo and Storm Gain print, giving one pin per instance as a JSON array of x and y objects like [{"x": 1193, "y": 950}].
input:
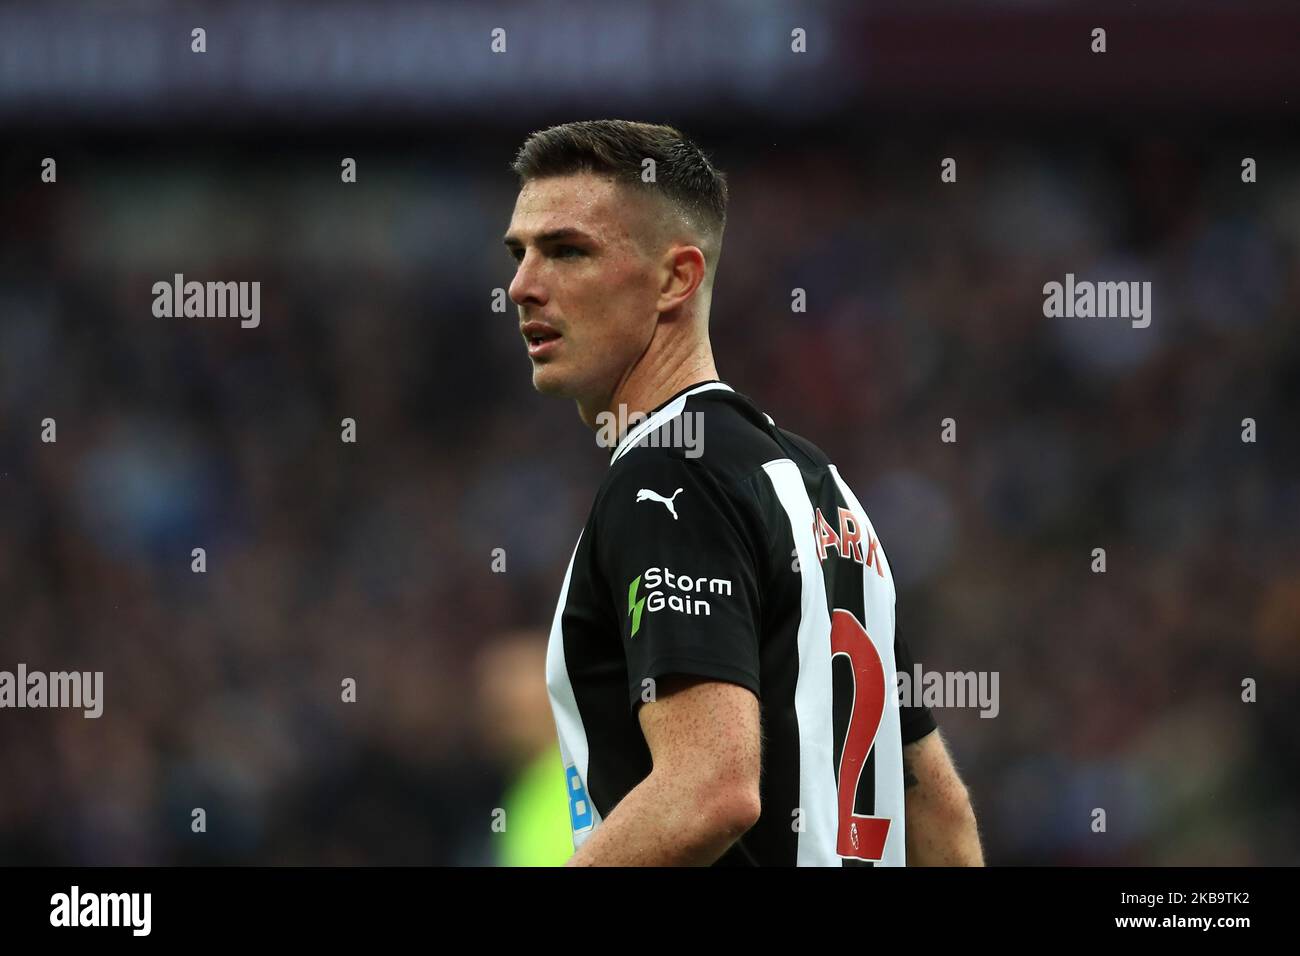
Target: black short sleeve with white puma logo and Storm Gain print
[{"x": 678, "y": 552}]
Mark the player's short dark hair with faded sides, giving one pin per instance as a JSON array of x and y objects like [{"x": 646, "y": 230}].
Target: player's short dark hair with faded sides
[{"x": 618, "y": 149}]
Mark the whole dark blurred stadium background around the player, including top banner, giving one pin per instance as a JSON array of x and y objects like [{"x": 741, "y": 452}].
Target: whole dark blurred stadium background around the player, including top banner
[{"x": 326, "y": 560}]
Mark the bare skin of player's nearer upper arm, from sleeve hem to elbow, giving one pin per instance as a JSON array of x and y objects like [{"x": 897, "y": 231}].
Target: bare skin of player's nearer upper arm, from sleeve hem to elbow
[{"x": 705, "y": 741}]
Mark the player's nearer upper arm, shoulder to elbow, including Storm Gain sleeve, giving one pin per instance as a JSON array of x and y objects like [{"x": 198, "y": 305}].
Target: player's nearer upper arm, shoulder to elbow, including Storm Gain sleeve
[{"x": 684, "y": 585}]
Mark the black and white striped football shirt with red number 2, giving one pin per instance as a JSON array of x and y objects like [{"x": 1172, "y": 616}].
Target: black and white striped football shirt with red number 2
[{"x": 748, "y": 560}]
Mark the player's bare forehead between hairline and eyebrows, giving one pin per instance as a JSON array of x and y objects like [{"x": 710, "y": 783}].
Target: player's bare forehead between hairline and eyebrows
[{"x": 593, "y": 204}]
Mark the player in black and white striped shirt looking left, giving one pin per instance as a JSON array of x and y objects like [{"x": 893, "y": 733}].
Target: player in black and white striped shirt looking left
[{"x": 723, "y": 655}]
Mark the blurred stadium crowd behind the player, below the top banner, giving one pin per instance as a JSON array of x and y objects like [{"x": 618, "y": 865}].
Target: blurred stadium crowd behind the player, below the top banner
[{"x": 375, "y": 560}]
